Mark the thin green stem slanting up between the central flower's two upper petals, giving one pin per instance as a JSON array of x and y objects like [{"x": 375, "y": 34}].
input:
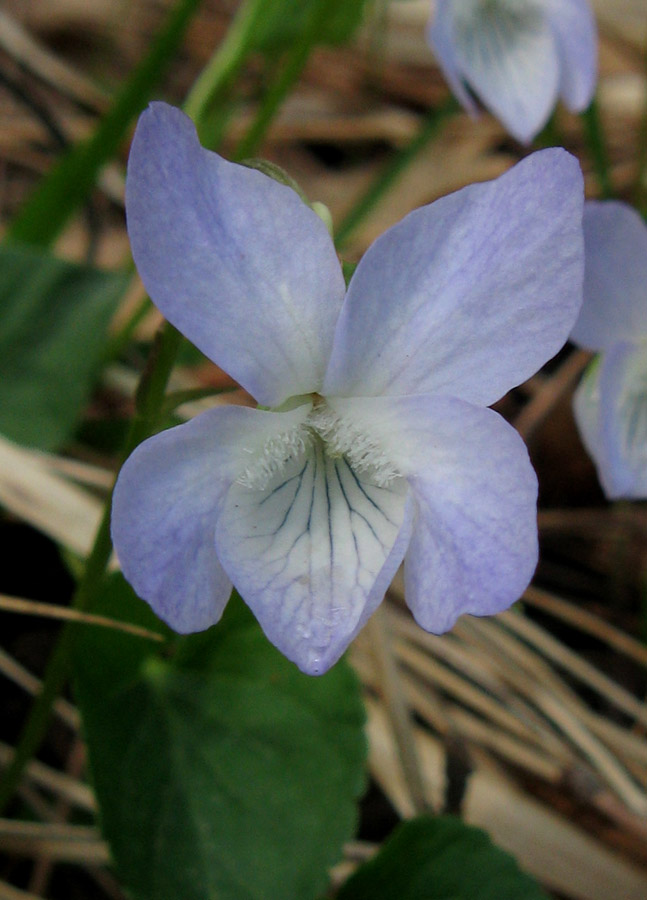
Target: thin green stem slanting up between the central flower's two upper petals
[{"x": 431, "y": 125}]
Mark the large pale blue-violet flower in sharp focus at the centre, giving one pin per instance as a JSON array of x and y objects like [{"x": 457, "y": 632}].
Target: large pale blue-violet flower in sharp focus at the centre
[{"x": 375, "y": 444}]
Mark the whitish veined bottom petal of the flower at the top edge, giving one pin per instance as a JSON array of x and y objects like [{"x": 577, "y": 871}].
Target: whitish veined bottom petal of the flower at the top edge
[{"x": 508, "y": 55}]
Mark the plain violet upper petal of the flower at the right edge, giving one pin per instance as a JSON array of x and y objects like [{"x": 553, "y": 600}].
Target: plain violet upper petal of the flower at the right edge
[{"x": 615, "y": 276}]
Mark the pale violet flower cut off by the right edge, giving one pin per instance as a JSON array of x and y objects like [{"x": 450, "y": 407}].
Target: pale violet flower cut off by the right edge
[{"x": 611, "y": 401}]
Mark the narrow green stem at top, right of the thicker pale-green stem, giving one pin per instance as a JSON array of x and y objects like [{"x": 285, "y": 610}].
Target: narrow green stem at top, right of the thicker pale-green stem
[{"x": 279, "y": 88}]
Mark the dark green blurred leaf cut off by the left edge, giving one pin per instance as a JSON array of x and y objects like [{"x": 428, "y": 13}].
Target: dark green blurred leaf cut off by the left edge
[{"x": 55, "y": 316}]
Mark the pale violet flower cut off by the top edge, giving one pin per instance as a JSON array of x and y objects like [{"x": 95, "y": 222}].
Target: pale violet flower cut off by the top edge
[{"x": 517, "y": 57}]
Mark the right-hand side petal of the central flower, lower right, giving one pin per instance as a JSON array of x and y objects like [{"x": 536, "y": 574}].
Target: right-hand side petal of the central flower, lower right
[{"x": 473, "y": 548}]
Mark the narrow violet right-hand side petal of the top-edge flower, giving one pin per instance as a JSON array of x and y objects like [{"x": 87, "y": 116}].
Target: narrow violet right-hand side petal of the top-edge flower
[{"x": 573, "y": 25}]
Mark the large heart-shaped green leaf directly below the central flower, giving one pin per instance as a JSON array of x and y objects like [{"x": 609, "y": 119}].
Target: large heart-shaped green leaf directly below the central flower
[{"x": 221, "y": 771}]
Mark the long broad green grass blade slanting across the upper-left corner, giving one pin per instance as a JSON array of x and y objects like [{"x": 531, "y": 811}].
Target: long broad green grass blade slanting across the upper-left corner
[{"x": 70, "y": 181}]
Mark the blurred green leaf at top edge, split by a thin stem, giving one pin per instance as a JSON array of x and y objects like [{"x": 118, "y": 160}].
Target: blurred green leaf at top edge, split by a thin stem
[{"x": 285, "y": 21}]
